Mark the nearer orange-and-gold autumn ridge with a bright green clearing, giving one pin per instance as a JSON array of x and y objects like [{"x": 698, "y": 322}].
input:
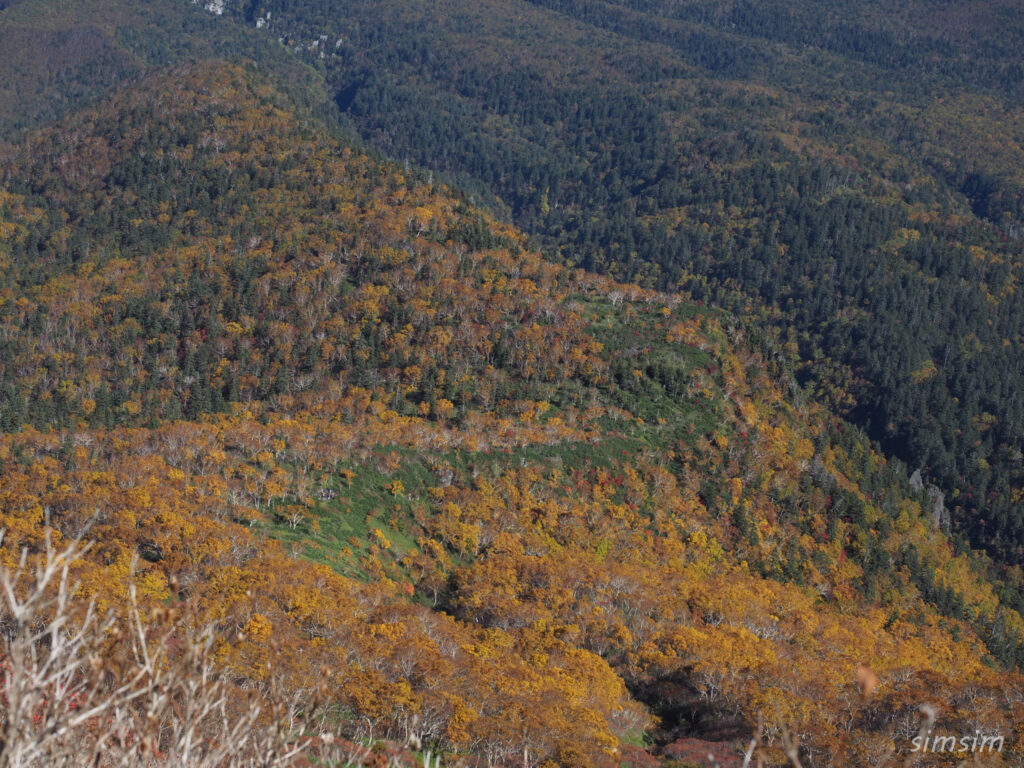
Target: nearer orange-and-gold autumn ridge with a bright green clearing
[{"x": 523, "y": 513}]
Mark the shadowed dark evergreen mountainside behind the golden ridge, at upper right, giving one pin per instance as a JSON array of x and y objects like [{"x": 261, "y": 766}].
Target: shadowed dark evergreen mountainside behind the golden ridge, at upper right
[{"x": 847, "y": 176}]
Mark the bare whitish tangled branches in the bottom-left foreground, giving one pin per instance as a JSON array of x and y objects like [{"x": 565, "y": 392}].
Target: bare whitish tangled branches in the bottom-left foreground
[{"x": 80, "y": 689}]
